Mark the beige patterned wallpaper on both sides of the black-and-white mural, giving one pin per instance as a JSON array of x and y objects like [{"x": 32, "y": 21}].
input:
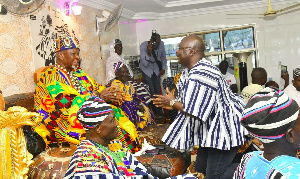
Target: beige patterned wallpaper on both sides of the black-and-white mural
[{"x": 16, "y": 53}]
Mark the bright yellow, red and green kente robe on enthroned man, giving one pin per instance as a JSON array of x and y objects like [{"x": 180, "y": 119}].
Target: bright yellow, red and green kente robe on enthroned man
[{"x": 57, "y": 100}]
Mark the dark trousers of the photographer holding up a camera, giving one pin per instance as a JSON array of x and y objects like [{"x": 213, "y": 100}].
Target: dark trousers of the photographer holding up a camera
[{"x": 154, "y": 85}]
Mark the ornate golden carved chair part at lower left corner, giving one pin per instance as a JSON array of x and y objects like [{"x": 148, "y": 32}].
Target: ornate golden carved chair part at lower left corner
[{"x": 14, "y": 157}]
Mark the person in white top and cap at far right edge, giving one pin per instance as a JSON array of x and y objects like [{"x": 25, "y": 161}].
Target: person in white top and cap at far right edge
[{"x": 293, "y": 90}]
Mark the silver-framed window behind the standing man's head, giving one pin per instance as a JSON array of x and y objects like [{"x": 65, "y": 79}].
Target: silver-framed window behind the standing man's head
[{"x": 220, "y": 45}]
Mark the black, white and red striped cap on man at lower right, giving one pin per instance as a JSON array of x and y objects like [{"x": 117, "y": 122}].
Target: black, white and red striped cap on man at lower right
[{"x": 269, "y": 114}]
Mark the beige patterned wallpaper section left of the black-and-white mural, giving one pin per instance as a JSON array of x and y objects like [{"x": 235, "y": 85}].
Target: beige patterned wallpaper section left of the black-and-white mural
[{"x": 16, "y": 61}]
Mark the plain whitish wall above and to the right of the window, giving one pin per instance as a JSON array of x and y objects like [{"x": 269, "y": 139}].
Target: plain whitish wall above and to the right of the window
[{"x": 278, "y": 39}]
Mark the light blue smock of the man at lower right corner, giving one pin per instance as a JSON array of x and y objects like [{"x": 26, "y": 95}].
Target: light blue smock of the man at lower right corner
[{"x": 254, "y": 166}]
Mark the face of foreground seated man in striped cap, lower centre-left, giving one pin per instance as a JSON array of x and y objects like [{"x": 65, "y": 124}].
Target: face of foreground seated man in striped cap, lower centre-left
[{"x": 109, "y": 127}]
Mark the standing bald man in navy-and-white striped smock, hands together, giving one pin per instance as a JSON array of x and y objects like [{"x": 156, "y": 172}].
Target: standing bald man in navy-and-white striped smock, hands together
[{"x": 209, "y": 112}]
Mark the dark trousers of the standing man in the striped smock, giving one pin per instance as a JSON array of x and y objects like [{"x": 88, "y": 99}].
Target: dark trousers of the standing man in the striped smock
[{"x": 215, "y": 163}]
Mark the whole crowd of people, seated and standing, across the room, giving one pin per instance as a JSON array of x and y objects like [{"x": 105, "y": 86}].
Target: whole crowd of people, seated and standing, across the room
[{"x": 104, "y": 120}]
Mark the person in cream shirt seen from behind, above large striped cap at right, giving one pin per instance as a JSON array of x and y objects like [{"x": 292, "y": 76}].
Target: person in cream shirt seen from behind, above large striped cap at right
[{"x": 259, "y": 78}]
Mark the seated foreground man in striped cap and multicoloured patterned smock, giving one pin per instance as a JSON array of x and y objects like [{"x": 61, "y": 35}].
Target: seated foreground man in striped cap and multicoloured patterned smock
[{"x": 99, "y": 155}]
